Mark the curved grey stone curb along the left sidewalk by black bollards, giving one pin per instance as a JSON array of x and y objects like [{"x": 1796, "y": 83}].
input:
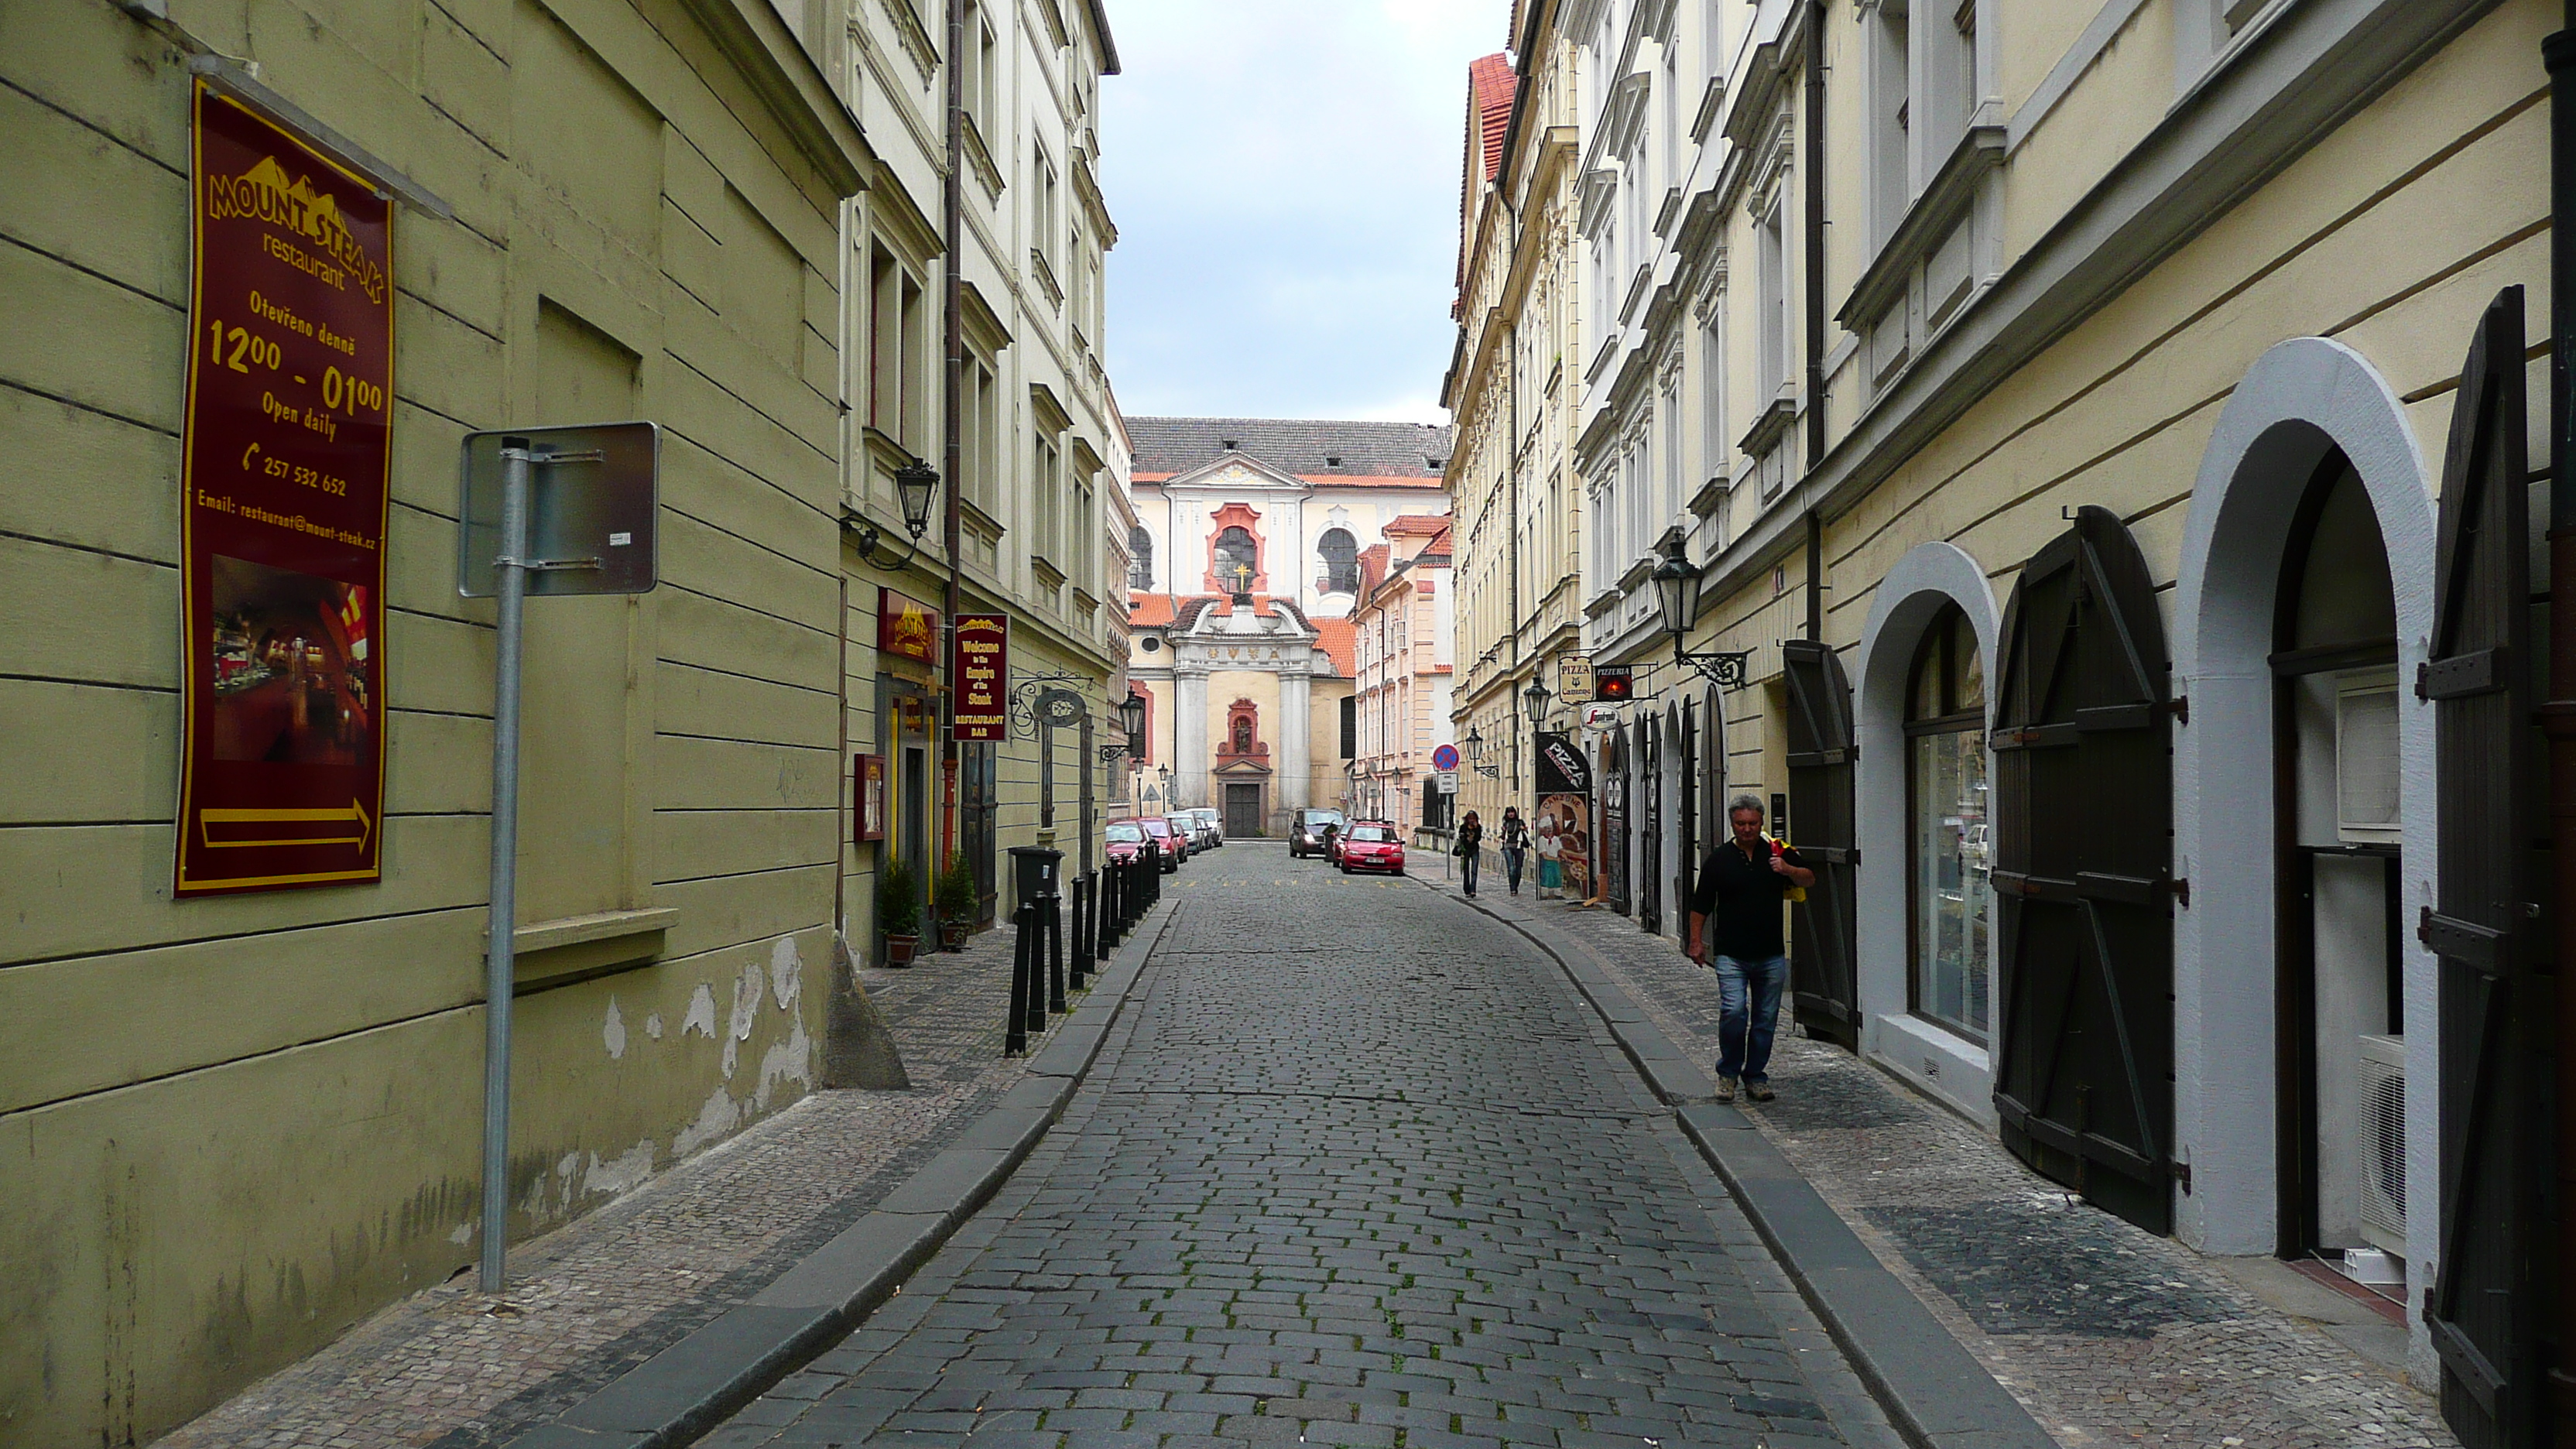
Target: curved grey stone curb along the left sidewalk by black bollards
[{"x": 697, "y": 1383}]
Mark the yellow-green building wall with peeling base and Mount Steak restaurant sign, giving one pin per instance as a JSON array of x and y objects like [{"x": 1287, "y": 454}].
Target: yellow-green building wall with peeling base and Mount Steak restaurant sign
[{"x": 267, "y": 269}]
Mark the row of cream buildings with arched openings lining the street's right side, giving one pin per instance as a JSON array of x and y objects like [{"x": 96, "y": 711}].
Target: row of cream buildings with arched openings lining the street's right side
[{"x": 2080, "y": 468}]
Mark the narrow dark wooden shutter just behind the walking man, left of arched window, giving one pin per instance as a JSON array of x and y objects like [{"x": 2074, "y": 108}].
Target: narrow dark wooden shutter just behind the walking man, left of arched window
[{"x": 1825, "y": 984}]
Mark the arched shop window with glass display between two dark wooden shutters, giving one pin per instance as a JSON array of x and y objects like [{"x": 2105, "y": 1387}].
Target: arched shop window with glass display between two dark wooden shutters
[{"x": 1946, "y": 808}]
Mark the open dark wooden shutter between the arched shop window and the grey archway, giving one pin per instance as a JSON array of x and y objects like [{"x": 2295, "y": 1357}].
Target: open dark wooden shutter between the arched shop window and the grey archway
[{"x": 2083, "y": 857}]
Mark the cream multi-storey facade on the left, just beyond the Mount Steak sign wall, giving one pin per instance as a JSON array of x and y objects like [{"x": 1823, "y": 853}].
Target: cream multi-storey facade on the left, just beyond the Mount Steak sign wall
[{"x": 1034, "y": 427}]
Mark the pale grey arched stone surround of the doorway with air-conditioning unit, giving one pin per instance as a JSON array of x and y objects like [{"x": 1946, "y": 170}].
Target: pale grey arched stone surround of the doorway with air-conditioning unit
[{"x": 2299, "y": 404}]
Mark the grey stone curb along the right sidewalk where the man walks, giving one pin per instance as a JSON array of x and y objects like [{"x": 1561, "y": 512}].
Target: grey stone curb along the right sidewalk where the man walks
[{"x": 1933, "y": 1391}]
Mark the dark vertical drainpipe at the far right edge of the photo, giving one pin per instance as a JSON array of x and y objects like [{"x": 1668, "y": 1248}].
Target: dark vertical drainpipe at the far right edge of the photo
[{"x": 2559, "y": 715}]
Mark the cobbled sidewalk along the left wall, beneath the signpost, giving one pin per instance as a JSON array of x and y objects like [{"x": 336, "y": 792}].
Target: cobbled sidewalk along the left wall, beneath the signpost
[{"x": 601, "y": 1296}]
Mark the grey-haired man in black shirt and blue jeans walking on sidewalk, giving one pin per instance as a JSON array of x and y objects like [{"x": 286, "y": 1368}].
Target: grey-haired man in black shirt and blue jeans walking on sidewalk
[{"x": 1738, "y": 914}]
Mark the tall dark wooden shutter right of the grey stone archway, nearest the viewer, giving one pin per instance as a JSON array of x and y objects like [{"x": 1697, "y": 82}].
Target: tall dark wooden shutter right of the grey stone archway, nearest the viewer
[{"x": 2487, "y": 1303}]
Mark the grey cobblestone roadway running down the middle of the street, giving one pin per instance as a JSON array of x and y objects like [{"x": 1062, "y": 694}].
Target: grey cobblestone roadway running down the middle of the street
[{"x": 1356, "y": 1169}]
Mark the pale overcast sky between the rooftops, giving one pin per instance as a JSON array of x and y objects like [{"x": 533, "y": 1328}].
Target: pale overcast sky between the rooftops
[{"x": 1284, "y": 177}]
